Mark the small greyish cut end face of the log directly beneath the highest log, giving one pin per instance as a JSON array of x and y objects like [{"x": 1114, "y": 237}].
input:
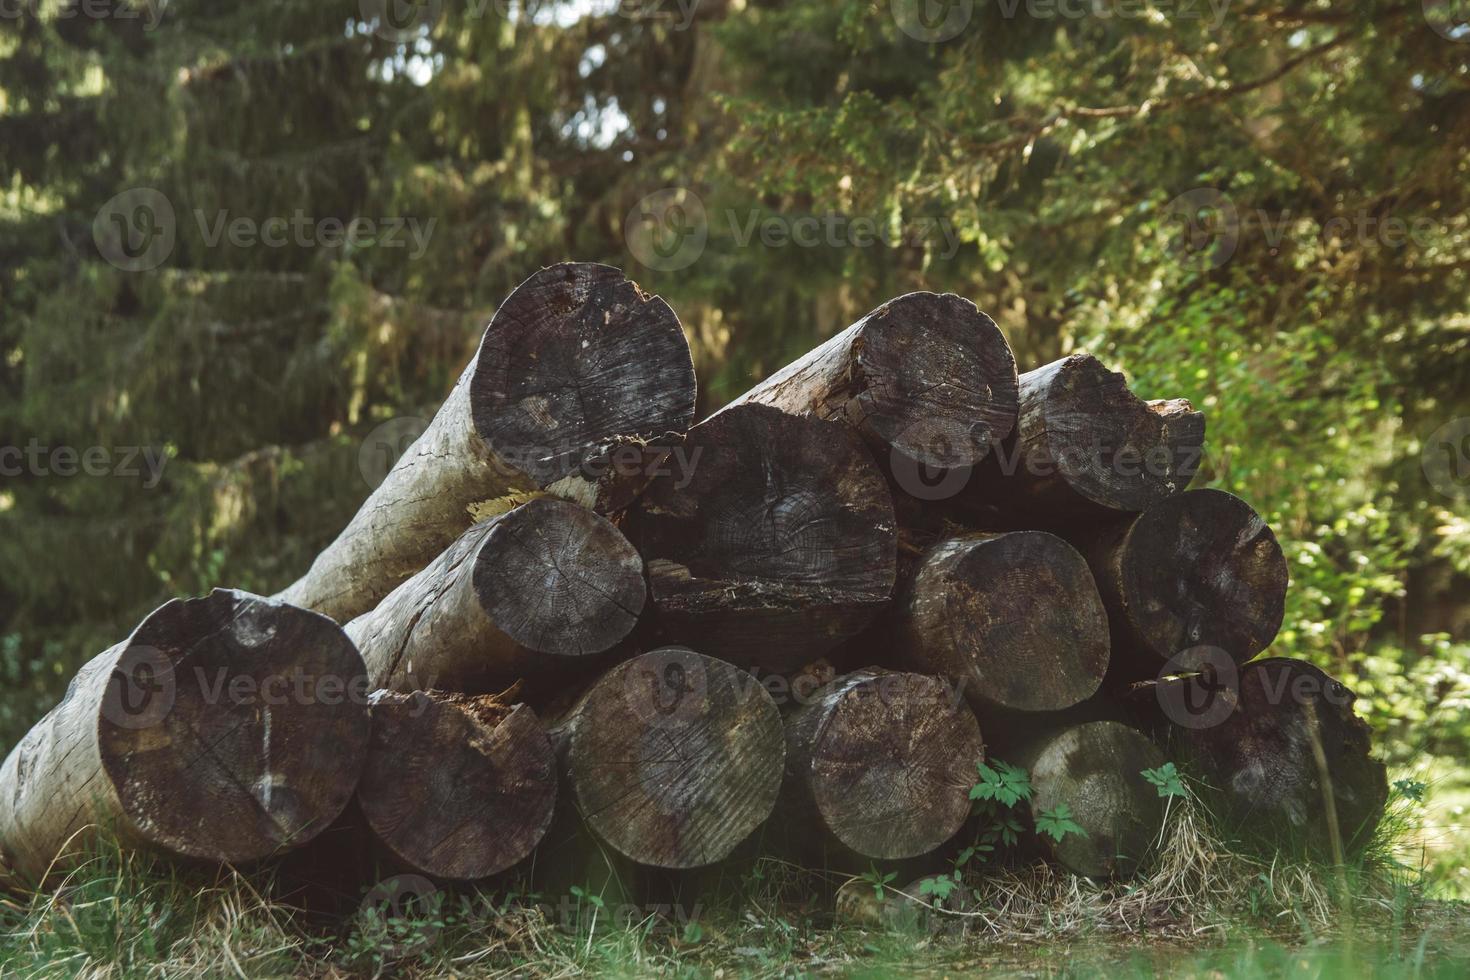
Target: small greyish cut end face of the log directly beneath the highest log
[{"x": 559, "y": 580}]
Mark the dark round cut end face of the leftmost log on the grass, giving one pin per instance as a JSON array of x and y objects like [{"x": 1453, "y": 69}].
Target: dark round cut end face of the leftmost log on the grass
[{"x": 234, "y": 727}]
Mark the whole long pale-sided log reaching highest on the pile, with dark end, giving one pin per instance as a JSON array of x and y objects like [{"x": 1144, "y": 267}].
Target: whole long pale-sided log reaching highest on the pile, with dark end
[{"x": 577, "y": 367}]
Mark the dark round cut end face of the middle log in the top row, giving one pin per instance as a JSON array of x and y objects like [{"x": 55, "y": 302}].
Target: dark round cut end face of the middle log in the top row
[{"x": 939, "y": 381}]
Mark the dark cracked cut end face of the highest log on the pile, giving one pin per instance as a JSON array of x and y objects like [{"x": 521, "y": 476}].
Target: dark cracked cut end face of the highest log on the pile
[{"x": 576, "y": 361}]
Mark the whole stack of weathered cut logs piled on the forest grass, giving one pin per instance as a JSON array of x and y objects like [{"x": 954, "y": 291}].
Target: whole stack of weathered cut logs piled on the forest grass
[{"x": 570, "y": 602}]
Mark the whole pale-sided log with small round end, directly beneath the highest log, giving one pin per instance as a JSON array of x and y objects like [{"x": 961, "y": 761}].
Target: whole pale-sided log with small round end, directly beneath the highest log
[{"x": 523, "y": 594}]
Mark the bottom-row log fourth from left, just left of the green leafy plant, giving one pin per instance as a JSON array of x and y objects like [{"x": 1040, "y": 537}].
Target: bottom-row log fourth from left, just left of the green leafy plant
[{"x": 883, "y": 762}]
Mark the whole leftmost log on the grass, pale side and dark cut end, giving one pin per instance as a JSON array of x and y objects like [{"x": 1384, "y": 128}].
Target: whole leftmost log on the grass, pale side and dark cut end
[{"x": 226, "y": 728}]
